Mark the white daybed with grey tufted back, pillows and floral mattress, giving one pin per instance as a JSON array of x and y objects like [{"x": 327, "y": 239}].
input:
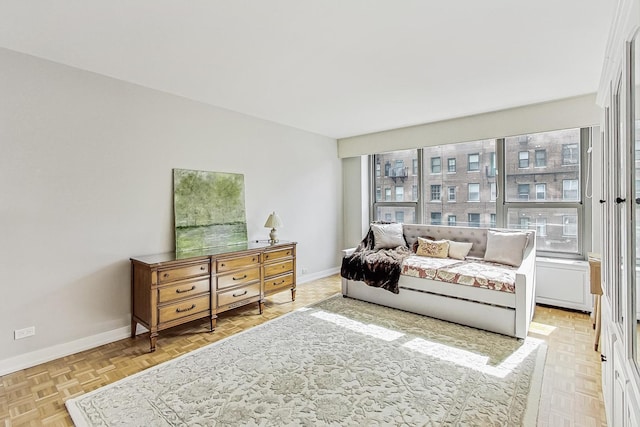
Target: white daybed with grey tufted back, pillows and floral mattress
[{"x": 480, "y": 290}]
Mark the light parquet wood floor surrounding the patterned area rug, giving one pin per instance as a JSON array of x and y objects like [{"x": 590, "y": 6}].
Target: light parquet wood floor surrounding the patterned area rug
[{"x": 571, "y": 394}]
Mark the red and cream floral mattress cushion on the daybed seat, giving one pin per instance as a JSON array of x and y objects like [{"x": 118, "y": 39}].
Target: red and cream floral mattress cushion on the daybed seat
[{"x": 477, "y": 273}]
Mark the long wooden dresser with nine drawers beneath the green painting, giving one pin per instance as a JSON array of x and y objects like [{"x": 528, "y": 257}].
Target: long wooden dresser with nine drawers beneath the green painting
[{"x": 171, "y": 289}]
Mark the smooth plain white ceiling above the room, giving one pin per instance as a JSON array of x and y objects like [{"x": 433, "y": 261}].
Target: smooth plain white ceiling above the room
[{"x": 334, "y": 67}]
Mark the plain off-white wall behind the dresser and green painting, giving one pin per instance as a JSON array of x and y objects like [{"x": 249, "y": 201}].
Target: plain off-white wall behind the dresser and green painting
[{"x": 85, "y": 183}]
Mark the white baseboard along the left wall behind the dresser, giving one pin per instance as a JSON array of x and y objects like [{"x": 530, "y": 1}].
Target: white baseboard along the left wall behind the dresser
[{"x": 48, "y": 354}]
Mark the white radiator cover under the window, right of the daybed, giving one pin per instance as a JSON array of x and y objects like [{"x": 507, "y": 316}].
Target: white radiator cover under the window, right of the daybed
[{"x": 563, "y": 283}]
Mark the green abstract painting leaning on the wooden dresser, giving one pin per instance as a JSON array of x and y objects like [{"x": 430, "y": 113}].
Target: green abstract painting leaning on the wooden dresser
[{"x": 209, "y": 209}]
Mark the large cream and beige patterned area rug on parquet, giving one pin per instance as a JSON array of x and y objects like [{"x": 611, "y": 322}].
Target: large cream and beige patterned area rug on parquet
[{"x": 338, "y": 362}]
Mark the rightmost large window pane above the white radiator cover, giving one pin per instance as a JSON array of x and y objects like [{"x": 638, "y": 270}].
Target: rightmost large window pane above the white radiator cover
[{"x": 559, "y": 153}]
